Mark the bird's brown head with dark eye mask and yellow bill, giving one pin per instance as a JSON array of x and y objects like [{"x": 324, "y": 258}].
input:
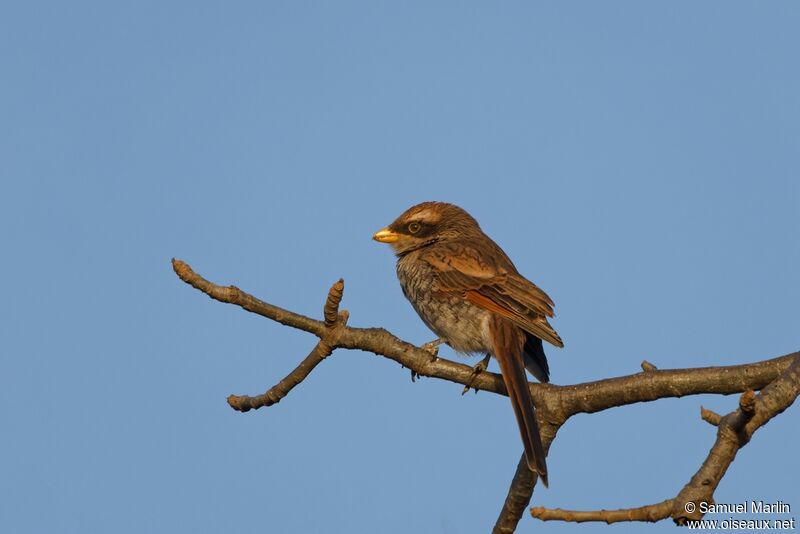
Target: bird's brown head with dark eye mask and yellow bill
[{"x": 427, "y": 223}]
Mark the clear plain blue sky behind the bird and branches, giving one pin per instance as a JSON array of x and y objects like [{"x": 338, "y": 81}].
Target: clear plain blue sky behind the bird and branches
[{"x": 639, "y": 161}]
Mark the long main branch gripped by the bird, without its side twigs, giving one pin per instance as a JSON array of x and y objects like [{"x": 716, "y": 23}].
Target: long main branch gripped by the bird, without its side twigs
[{"x": 587, "y": 397}]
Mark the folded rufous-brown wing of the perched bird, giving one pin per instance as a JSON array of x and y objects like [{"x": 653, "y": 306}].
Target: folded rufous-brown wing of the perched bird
[{"x": 489, "y": 280}]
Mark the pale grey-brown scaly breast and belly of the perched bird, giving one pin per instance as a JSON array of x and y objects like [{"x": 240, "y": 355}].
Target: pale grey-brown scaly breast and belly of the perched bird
[{"x": 463, "y": 325}]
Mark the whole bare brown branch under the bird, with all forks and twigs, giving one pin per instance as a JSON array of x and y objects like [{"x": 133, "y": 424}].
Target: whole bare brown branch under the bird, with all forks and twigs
[{"x": 556, "y": 404}]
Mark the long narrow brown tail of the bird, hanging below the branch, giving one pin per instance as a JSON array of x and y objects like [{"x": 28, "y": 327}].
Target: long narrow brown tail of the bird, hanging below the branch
[{"x": 508, "y": 342}]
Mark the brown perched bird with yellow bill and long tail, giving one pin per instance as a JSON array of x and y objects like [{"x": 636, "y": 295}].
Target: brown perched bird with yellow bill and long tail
[{"x": 467, "y": 290}]
